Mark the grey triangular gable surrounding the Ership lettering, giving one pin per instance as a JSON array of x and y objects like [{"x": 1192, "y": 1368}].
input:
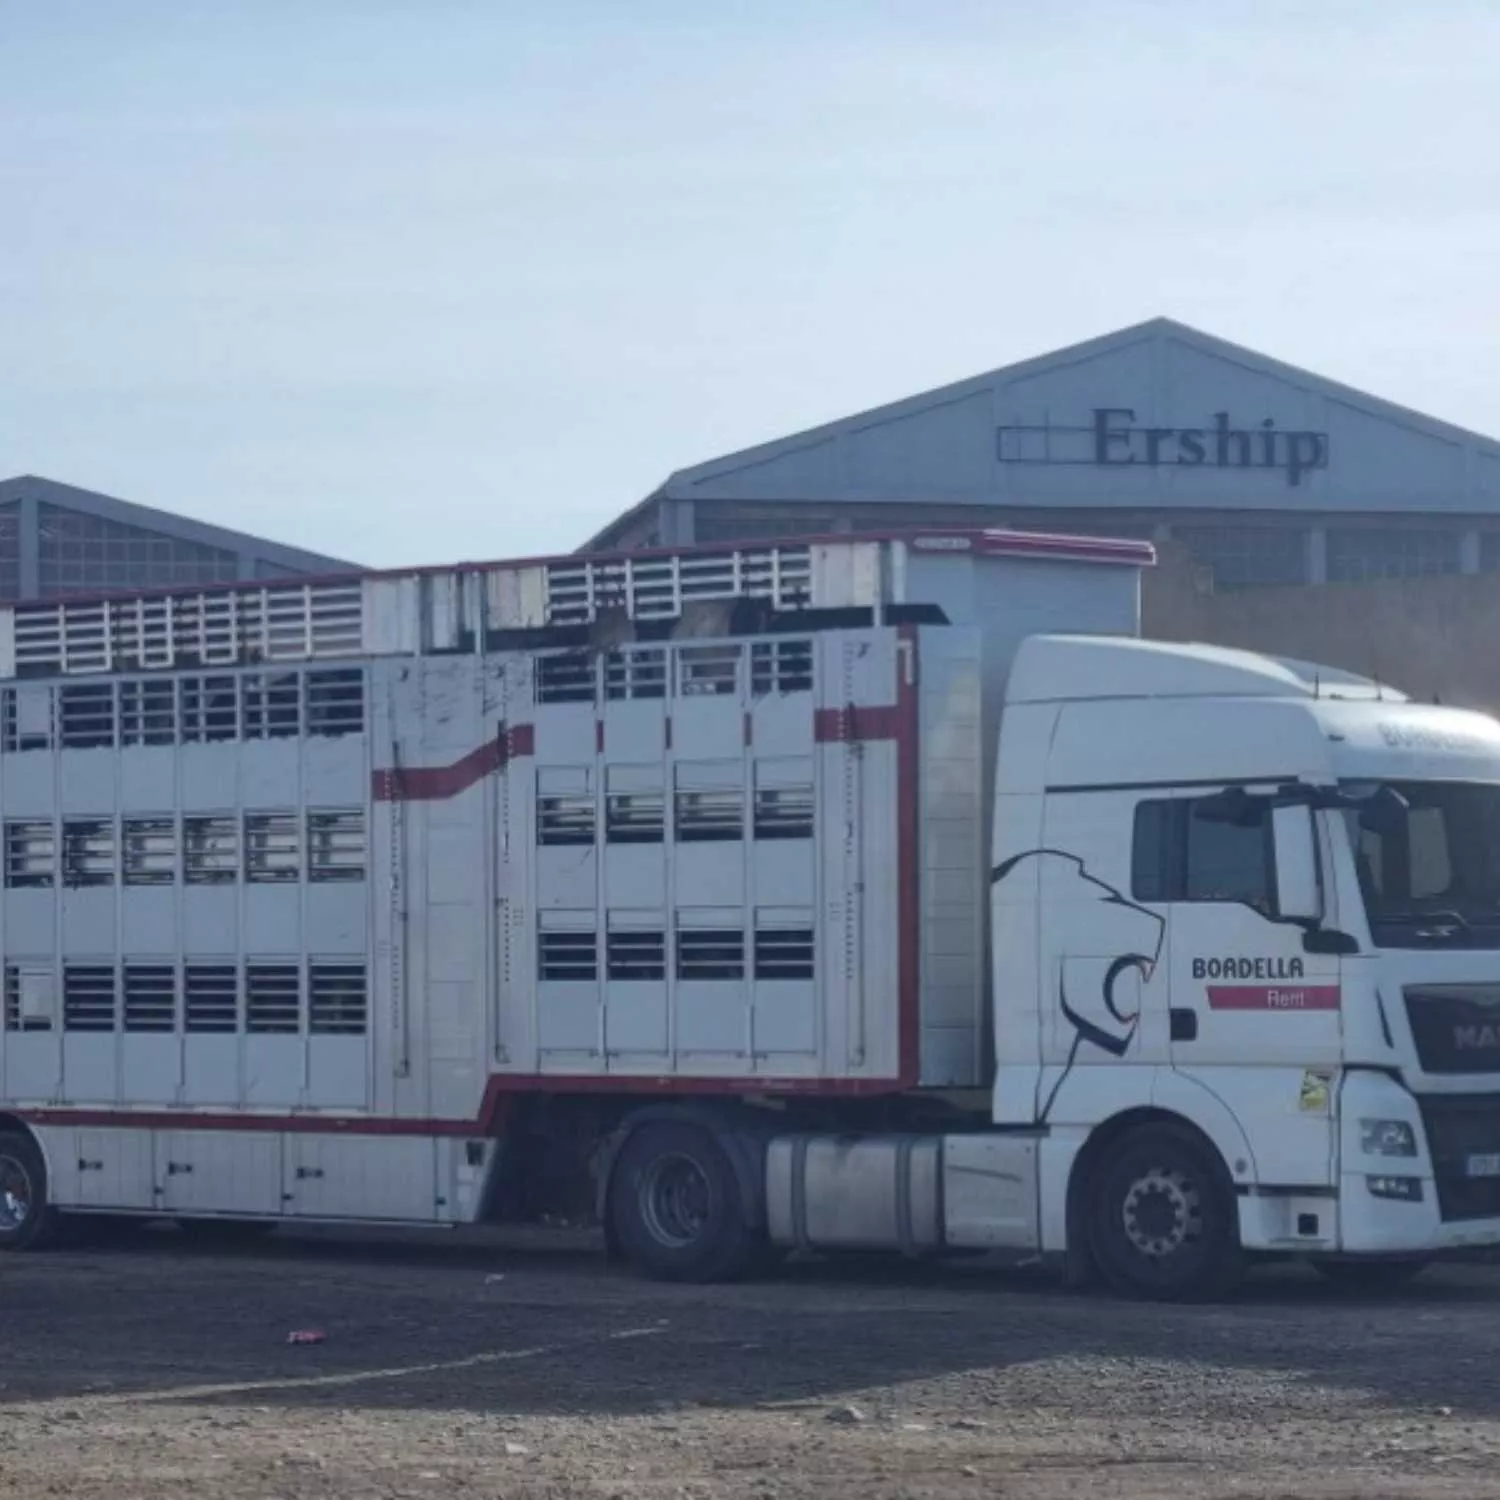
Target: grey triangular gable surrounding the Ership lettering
[{"x": 941, "y": 445}]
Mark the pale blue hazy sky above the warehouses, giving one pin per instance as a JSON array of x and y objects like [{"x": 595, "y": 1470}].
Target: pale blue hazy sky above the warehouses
[{"x": 425, "y": 280}]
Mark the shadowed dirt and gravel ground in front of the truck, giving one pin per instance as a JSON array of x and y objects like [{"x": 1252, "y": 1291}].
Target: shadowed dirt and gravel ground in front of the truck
[{"x": 475, "y": 1369}]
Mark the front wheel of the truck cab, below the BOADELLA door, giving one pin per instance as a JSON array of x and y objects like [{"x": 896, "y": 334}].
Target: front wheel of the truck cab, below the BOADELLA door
[{"x": 1163, "y": 1217}]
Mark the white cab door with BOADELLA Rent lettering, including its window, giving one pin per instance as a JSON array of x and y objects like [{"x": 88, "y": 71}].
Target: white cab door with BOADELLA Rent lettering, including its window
[{"x": 1253, "y": 1016}]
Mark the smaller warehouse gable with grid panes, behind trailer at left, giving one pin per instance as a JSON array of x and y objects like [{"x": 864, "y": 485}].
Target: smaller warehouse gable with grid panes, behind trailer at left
[{"x": 56, "y": 539}]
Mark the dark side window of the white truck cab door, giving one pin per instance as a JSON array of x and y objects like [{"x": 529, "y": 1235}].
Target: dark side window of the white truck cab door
[{"x": 1180, "y": 856}]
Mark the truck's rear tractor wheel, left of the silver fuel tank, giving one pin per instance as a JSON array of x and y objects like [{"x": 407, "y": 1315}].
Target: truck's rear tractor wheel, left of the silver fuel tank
[{"x": 677, "y": 1208}]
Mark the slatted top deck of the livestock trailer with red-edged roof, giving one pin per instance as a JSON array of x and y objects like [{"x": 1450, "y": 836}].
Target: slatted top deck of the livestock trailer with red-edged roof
[{"x": 478, "y": 607}]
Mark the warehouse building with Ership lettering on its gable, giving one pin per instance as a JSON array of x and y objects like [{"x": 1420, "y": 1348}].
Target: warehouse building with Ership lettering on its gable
[{"x": 1264, "y": 473}]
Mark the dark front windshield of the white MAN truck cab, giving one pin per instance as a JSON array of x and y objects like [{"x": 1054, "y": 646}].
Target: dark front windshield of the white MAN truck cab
[{"x": 1429, "y": 862}]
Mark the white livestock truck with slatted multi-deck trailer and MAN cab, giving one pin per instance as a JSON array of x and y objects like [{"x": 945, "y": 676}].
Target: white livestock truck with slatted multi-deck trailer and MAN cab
[{"x": 808, "y": 895}]
